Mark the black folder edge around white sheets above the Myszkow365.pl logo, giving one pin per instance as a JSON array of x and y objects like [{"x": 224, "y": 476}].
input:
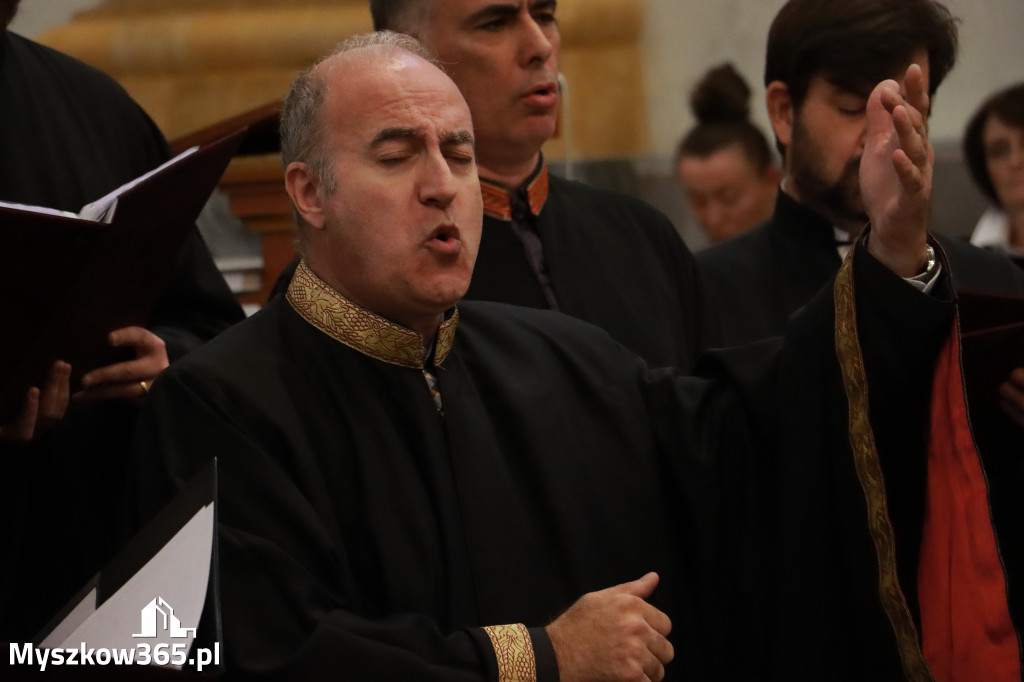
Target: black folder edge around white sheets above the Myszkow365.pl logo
[{"x": 198, "y": 494}]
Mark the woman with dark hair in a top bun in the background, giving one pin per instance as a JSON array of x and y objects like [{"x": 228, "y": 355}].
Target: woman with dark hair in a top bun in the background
[{"x": 726, "y": 163}]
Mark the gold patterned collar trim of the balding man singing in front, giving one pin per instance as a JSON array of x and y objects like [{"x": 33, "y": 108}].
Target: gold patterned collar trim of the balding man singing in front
[{"x": 360, "y": 329}]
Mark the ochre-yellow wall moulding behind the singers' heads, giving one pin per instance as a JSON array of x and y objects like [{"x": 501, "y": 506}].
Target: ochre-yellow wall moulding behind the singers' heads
[{"x": 194, "y": 63}]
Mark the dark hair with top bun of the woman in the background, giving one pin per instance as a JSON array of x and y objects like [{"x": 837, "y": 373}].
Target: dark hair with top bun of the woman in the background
[{"x": 721, "y": 104}]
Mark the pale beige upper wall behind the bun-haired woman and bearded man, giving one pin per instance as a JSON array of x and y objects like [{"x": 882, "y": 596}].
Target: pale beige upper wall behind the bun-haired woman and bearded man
[{"x": 685, "y": 37}]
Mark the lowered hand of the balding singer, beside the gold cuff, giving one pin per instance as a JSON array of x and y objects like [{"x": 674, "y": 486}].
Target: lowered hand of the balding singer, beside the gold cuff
[{"x": 614, "y": 634}]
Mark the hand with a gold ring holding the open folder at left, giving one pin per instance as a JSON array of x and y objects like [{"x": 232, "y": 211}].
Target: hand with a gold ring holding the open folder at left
[{"x": 130, "y": 379}]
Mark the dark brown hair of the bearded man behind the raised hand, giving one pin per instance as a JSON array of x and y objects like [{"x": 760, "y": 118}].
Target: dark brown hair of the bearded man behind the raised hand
[{"x": 858, "y": 44}]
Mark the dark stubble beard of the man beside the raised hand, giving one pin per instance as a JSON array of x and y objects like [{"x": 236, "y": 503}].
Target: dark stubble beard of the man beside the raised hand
[{"x": 840, "y": 201}]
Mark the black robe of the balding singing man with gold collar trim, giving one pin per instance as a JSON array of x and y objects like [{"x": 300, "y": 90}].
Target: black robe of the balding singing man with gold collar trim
[{"x": 363, "y": 536}]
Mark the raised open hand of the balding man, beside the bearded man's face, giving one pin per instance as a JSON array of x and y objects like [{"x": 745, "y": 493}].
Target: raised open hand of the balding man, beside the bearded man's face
[{"x": 897, "y": 174}]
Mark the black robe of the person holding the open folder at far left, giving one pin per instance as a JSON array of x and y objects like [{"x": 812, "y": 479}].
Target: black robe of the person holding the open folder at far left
[{"x": 69, "y": 136}]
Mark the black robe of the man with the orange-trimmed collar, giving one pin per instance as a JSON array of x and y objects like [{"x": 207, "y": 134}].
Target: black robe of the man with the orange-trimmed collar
[{"x": 614, "y": 262}]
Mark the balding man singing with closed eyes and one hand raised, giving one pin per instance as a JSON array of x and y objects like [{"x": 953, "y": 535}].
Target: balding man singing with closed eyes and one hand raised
[{"x": 411, "y": 490}]
